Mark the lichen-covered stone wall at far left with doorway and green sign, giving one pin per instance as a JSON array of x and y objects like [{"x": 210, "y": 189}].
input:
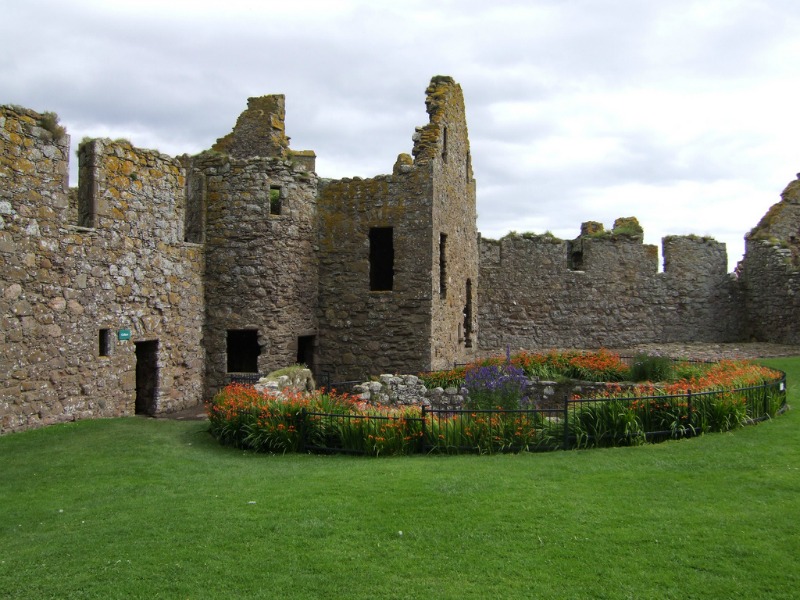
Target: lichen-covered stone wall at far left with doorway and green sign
[{"x": 67, "y": 290}]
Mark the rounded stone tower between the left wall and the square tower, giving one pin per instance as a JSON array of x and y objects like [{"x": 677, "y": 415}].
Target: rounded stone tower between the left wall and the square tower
[{"x": 255, "y": 205}]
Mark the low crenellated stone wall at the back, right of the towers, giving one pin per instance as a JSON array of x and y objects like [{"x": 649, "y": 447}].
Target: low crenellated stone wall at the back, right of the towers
[{"x": 532, "y": 296}]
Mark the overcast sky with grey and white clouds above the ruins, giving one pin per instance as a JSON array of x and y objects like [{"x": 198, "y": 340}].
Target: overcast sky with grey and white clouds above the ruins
[{"x": 683, "y": 113}]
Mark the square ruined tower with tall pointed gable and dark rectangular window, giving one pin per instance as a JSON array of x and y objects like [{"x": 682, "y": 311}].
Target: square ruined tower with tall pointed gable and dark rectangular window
[{"x": 399, "y": 255}]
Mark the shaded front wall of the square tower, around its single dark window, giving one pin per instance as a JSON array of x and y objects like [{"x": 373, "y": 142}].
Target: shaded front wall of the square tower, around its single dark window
[{"x": 374, "y": 330}]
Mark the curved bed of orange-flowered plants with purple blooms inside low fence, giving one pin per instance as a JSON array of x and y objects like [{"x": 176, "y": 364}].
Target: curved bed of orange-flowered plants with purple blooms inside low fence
[{"x": 692, "y": 398}]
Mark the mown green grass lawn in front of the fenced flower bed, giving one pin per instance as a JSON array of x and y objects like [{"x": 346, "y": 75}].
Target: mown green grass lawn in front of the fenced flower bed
[{"x": 143, "y": 508}]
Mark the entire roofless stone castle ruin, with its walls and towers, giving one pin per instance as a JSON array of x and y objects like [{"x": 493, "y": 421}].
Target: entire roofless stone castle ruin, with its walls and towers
[{"x": 144, "y": 288}]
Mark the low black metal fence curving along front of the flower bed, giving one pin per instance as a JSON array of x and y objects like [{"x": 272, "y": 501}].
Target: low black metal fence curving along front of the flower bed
[{"x": 578, "y": 423}]
